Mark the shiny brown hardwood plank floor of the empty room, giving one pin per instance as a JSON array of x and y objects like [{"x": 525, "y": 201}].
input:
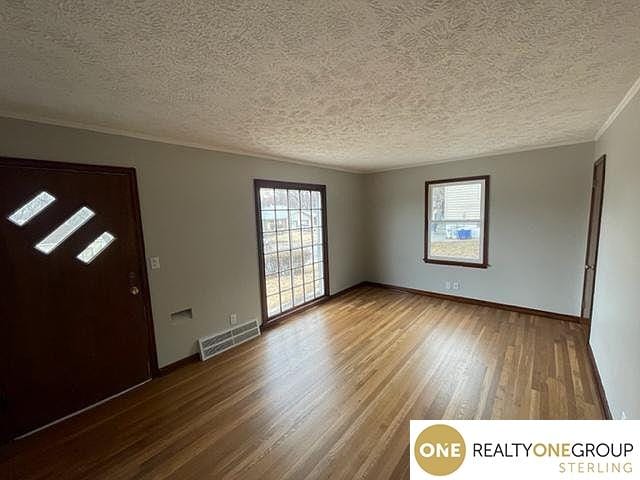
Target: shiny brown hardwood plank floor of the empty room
[{"x": 328, "y": 393}]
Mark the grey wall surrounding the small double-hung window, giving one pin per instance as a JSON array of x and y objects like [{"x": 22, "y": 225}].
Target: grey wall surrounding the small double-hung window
[{"x": 539, "y": 206}]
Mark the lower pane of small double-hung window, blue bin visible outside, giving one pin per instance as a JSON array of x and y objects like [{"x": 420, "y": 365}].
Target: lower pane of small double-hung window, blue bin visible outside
[{"x": 455, "y": 240}]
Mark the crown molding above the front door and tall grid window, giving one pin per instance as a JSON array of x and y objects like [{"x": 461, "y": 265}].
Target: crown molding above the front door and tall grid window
[{"x": 166, "y": 140}]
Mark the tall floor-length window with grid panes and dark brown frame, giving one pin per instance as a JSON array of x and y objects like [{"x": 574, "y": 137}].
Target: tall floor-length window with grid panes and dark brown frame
[{"x": 292, "y": 242}]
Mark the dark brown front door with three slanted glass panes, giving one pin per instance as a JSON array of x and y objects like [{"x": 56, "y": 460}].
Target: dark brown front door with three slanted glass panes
[{"x": 75, "y": 317}]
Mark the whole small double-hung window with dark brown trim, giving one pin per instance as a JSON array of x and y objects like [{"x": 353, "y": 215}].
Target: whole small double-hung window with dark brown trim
[{"x": 457, "y": 212}]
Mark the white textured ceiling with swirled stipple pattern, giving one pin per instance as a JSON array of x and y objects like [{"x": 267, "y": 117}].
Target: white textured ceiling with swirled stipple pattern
[{"x": 356, "y": 84}]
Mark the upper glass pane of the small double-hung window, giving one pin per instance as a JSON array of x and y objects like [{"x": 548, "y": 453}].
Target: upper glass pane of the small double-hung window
[{"x": 456, "y": 202}]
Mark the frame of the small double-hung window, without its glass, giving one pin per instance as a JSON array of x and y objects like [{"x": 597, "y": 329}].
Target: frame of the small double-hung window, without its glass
[{"x": 481, "y": 262}]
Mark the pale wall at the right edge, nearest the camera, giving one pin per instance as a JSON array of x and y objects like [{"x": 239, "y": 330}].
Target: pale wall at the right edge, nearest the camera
[{"x": 615, "y": 329}]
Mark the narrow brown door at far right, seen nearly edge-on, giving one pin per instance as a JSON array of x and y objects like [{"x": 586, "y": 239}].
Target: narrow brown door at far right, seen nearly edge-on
[{"x": 591, "y": 261}]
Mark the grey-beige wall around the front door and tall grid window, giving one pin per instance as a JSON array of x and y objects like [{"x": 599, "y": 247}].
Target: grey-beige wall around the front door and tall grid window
[{"x": 198, "y": 217}]
